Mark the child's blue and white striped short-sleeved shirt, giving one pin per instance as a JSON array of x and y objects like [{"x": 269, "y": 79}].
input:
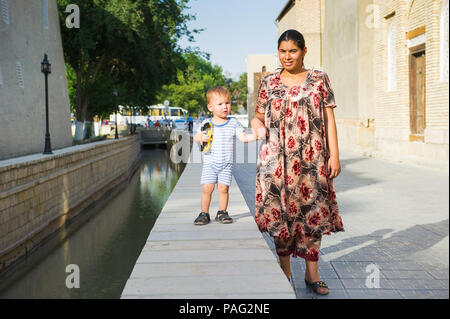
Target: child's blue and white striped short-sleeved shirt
[{"x": 224, "y": 138}]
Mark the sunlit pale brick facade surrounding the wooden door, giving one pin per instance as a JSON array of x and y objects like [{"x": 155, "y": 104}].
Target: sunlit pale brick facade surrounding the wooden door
[{"x": 392, "y": 112}]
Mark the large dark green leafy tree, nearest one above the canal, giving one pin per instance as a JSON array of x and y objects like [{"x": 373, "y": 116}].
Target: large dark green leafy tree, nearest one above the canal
[{"x": 126, "y": 43}]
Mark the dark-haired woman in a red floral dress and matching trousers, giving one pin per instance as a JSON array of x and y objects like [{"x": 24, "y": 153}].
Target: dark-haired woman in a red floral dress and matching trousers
[{"x": 295, "y": 197}]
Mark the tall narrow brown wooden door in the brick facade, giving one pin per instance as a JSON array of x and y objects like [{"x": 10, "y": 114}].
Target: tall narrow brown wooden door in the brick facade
[{"x": 417, "y": 93}]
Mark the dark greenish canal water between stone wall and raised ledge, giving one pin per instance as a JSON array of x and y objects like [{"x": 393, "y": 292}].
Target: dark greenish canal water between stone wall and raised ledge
[{"x": 104, "y": 243}]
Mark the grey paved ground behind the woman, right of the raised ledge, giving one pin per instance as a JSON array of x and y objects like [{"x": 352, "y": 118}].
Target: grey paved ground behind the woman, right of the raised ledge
[{"x": 395, "y": 217}]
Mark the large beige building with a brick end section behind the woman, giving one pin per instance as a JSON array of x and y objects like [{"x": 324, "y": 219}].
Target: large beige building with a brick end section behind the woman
[{"x": 388, "y": 65}]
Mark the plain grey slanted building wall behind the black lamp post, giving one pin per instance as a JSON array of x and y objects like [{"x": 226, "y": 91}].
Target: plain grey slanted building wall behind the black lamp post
[{"x": 28, "y": 29}]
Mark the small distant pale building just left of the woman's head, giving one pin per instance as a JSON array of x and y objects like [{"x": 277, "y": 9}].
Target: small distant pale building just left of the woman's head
[{"x": 258, "y": 64}]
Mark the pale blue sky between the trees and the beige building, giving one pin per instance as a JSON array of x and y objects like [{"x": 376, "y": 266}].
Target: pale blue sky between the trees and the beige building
[{"x": 233, "y": 30}]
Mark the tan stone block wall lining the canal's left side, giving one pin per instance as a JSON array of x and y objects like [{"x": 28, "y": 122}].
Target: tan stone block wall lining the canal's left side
[{"x": 39, "y": 193}]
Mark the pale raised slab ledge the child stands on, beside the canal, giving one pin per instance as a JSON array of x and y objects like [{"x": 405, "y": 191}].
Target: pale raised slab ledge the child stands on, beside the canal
[{"x": 181, "y": 260}]
